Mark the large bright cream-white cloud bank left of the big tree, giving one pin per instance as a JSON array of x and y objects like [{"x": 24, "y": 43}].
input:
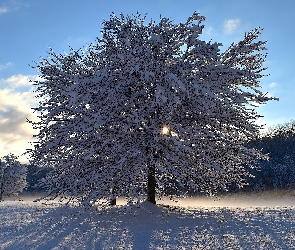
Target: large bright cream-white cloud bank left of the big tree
[{"x": 15, "y": 108}]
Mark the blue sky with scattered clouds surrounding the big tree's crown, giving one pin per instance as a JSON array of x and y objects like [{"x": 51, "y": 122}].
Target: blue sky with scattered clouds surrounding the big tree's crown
[{"x": 29, "y": 28}]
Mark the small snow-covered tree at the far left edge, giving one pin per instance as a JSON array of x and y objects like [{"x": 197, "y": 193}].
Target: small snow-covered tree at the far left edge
[{"x": 12, "y": 176}]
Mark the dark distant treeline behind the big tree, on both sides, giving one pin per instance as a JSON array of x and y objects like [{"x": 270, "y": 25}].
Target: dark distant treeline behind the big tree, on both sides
[{"x": 275, "y": 174}]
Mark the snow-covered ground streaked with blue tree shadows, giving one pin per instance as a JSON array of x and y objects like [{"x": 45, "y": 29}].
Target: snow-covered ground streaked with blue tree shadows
[{"x": 263, "y": 222}]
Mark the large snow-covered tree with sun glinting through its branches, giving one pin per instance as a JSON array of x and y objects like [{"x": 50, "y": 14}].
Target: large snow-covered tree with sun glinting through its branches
[{"x": 148, "y": 108}]
